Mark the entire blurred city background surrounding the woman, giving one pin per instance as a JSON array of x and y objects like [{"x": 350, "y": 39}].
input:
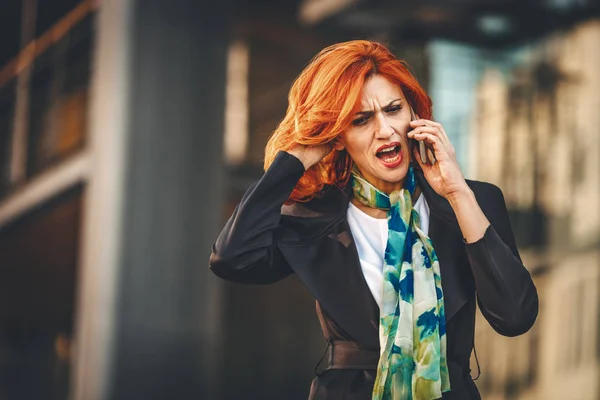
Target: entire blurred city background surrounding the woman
[{"x": 130, "y": 129}]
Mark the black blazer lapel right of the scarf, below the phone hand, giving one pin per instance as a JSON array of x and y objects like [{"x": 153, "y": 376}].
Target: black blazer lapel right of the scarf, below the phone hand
[{"x": 449, "y": 246}]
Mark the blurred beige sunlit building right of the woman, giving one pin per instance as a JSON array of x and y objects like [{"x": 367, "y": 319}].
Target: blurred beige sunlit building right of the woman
[{"x": 536, "y": 134}]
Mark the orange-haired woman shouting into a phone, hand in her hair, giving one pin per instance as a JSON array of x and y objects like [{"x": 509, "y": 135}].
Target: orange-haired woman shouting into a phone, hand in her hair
[{"x": 395, "y": 251}]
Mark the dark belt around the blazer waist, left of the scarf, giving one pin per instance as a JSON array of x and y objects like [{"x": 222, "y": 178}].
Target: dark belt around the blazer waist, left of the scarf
[{"x": 344, "y": 354}]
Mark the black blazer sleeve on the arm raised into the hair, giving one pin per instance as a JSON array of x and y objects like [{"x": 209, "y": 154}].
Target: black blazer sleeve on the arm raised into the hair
[{"x": 245, "y": 250}]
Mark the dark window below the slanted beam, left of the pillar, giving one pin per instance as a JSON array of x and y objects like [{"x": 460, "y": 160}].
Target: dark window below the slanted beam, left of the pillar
[{"x": 38, "y": 259}]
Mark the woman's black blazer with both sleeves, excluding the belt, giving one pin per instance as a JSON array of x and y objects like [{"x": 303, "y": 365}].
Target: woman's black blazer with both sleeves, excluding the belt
[{"x": 264, "y": 241}]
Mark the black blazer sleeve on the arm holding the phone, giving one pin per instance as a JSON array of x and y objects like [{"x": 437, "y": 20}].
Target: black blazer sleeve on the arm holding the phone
[{"x": 506, "y": 294}]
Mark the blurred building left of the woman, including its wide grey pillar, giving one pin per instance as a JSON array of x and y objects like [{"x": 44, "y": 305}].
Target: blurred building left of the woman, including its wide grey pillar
[{"x": 103, "y": 296}]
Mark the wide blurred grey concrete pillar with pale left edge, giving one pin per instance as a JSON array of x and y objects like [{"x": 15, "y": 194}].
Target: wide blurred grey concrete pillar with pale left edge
[{"x": 148, "y": 316}]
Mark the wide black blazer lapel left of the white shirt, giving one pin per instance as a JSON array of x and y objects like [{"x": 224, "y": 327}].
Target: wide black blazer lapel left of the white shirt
[{"x": 330, "y": 267}]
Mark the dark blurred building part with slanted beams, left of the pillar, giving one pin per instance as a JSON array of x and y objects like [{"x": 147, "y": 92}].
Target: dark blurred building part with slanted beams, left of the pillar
[{"x": 43, "y": 165}]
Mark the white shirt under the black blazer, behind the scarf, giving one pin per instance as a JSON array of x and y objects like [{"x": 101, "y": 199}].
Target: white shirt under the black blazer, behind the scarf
[{"x": 370, "y": 235}]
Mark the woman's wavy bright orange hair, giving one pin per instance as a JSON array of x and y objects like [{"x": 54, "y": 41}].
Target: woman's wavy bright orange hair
[{"x": 323, "y": 101}]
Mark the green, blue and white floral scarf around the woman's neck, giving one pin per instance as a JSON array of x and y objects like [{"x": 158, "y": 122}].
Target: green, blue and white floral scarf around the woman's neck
[{"x": 412, "y": 328}]
